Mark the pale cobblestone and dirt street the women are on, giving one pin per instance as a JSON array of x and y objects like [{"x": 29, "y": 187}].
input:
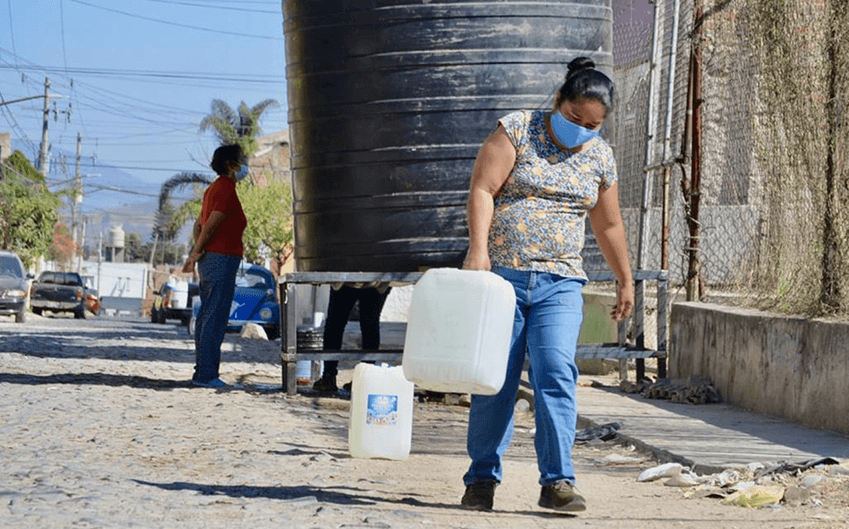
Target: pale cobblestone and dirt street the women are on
[{"x": 101, "y": 429}]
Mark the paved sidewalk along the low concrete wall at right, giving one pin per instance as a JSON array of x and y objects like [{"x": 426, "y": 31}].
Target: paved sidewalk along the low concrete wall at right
[{"x": 706, "y": 437}]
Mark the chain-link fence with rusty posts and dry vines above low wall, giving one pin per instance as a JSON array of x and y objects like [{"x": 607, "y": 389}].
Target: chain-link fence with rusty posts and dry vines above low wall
[{"x": 760, "y": 218}]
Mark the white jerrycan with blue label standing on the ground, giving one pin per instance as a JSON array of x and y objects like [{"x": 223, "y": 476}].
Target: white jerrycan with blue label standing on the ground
[{"x": 381, "y": 420}]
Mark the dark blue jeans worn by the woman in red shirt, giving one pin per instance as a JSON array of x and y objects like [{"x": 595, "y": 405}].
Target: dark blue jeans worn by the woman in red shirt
[{"x": 217, "y": 285}]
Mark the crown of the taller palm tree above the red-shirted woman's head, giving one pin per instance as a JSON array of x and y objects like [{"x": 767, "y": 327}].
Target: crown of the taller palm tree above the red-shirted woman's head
[{"x": 239, "y": 127}]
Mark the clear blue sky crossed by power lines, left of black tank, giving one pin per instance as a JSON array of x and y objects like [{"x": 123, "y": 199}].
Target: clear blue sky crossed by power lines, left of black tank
[{"x": 139, "y": 76}]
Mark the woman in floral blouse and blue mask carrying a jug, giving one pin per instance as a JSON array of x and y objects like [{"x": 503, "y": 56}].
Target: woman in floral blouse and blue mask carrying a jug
[{"x": 536, "y": 178}]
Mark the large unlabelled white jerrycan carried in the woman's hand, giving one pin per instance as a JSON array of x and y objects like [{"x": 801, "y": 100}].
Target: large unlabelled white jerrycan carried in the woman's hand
[{"x": 458, "y": 331}]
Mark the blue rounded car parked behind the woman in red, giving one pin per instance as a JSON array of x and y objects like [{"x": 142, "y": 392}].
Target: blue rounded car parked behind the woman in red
[{"x": 254, "y": 301}]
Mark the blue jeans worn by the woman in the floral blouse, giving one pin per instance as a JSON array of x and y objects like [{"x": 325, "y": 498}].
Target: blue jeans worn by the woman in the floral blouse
[{"x": 549, "y": 311}]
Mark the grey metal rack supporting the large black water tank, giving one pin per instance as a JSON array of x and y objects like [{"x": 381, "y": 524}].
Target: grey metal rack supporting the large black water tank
[{"x": 290, "y": 352}]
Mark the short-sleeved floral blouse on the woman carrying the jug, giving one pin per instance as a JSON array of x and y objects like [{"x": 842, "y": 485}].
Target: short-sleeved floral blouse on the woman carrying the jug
[{"x": 538, "y": 223}]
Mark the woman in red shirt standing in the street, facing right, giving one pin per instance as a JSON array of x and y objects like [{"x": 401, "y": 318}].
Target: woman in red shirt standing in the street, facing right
[{"x": 217, "y": 251}]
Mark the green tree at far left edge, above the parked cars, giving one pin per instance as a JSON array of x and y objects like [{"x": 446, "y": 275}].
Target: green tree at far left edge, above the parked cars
[{"x": 29, "y": 210}]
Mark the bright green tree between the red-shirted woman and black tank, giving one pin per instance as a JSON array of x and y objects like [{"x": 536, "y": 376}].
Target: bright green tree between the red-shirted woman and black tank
[{"x": 269, "y": 212}]
